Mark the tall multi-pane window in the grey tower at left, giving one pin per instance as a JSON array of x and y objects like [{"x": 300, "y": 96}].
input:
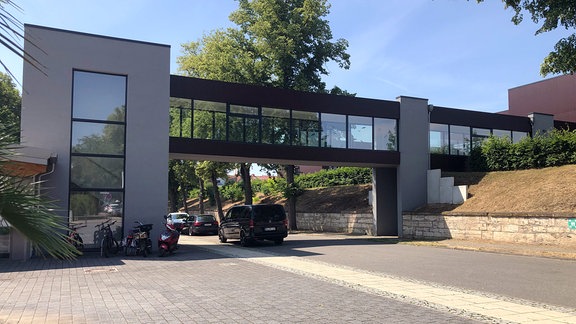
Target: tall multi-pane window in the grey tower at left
[{"x": 97, "y": 149}]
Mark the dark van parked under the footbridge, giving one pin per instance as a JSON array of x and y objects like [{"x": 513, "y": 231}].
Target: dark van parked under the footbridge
[{"x": 250, "y": 223}]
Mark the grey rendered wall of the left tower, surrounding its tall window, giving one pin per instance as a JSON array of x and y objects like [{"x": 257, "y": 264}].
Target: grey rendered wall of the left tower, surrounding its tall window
[{"x": 46, "y": 111}]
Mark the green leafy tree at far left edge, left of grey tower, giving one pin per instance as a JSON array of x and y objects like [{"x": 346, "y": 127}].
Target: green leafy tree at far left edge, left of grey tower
[{"x": 10, "y": 103}]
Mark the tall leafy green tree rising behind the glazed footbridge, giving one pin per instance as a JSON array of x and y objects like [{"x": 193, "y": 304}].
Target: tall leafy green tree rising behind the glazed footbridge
[{"x": 283, "y": 44}]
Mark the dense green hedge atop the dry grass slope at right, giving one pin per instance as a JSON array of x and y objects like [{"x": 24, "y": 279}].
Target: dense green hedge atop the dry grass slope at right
[{"x": 554, "y": 148}]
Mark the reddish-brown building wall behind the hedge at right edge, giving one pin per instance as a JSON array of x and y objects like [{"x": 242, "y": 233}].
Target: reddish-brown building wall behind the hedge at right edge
[{"x": 555, "y": 96}]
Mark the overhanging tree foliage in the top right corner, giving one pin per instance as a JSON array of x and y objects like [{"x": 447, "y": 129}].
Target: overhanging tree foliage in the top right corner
[{"x": 552, "y": 14}]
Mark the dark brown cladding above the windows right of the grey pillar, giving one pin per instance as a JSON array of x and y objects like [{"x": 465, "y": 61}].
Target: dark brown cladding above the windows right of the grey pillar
[{"x": 442, "y": 115}]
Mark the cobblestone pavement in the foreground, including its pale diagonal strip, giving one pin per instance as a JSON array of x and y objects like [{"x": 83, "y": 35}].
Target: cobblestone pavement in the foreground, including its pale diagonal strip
[{"x": 208, "y": 283}]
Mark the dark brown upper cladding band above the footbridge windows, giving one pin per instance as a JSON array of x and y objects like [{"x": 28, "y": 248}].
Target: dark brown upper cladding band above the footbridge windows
[{"x": 250, "y": 95}]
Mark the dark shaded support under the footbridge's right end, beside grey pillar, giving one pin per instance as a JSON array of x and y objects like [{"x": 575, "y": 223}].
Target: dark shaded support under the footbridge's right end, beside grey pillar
[{"x": 385, "y": 201}]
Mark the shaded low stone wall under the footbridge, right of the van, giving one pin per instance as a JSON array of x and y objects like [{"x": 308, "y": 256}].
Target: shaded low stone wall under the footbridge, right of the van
[{"x": 336, "y": 222}]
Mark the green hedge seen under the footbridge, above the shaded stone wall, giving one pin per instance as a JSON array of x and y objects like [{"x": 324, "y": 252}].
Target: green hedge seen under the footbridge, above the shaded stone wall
[{"x": 335, "y": 177}]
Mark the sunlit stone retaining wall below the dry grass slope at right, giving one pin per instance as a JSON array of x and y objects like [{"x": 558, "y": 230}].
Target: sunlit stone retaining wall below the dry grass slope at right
[{"x": 550, "y": 229}]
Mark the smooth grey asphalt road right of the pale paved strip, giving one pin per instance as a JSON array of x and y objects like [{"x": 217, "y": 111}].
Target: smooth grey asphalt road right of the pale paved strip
[{"x": 544, "y": 280}]
